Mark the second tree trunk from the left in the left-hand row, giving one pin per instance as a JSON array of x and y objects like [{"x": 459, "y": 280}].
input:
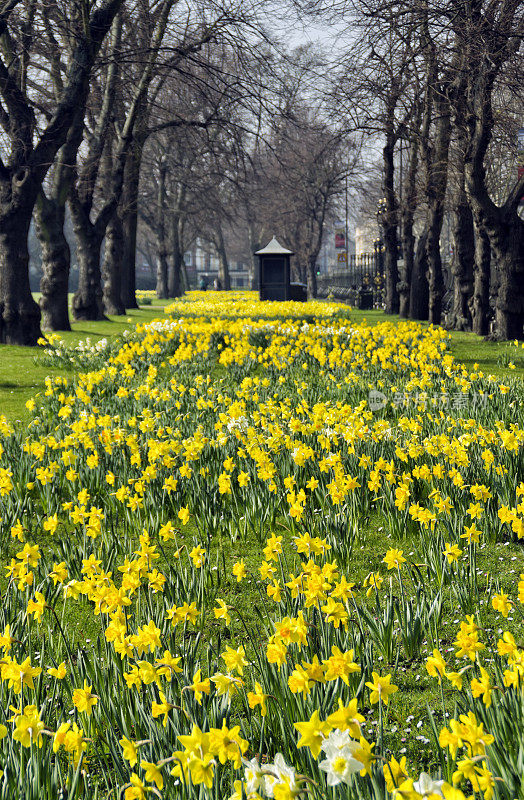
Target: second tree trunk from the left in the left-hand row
[{"x": 56, "y": 262}]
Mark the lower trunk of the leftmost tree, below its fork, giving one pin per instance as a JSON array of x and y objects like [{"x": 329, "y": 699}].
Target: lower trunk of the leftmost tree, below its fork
[{"x": 19, "y": 314}]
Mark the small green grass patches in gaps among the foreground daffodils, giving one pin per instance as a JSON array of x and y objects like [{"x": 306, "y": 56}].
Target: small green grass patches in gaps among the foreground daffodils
[{"x": 418, "y": 691}]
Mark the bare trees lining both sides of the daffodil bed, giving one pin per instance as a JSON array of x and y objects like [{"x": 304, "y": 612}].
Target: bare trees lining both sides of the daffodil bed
[{"x": 143, "y": 125}]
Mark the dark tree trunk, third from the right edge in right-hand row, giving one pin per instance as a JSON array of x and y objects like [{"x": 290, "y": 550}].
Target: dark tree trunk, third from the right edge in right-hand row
[{"x": 462, "y": 266}]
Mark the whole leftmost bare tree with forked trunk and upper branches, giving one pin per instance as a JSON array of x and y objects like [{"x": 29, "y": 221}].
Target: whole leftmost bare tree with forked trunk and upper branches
[{"x": 33, "y": 139}]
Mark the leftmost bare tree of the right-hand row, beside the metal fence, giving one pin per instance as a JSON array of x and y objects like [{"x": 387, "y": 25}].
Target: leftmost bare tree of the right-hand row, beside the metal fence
[{"x": 378, "y": 89}]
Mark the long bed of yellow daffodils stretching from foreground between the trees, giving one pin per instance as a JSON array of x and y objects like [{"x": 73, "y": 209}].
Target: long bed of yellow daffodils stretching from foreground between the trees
[{"x": 232, "y": 425}]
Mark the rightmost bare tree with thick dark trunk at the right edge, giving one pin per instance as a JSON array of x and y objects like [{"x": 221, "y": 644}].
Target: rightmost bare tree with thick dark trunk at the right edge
[{"x": 491, "y": 35}]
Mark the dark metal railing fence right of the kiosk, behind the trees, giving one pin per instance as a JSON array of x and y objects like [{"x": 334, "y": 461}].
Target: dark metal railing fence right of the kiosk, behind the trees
[{"x": 363, "y": 277}]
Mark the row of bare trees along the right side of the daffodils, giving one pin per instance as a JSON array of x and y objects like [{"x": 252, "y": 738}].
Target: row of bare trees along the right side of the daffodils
[{"x": 440, "y": 87}]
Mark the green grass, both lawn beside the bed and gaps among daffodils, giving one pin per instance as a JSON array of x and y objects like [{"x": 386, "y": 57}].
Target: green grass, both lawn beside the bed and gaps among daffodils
[{"x": 21, "y": 376}]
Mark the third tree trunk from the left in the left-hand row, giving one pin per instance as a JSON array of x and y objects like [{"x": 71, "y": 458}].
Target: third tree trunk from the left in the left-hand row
[{"x": 87, "y": 300}]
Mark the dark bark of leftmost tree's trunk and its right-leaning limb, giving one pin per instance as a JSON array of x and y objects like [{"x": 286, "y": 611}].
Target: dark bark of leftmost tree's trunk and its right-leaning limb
[{"x": 29, "y": 160}]
